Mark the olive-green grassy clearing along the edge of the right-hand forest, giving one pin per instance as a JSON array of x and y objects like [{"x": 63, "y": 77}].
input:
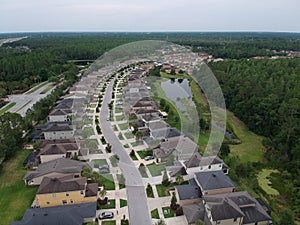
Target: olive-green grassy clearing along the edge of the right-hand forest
[{"x": 250, "y": 148}]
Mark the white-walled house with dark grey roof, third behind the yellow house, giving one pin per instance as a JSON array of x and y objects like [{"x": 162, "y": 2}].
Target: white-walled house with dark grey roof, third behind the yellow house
[{"x": 58, "y": 131}]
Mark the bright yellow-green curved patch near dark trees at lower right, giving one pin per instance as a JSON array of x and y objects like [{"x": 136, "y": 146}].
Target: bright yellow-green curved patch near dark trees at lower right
[{"x": 264, "y": 181}]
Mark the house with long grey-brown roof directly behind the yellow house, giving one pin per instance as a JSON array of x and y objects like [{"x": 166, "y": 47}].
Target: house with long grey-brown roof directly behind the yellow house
[{"x": 56, "y": 168}]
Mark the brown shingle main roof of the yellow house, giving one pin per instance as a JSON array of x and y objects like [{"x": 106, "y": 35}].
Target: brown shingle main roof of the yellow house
[{"x": 61, "y": 184}]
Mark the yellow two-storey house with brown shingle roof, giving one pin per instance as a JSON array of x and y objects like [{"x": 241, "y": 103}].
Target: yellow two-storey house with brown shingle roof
[{"x": 65, "y": 190}]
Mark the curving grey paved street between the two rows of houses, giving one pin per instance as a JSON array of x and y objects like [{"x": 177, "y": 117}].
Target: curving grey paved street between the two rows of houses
[{"x": 136, "y": 196}]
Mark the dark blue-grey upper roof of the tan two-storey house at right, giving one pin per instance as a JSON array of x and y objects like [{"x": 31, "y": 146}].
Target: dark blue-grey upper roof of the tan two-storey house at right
[{"x": 213, "y": 180}]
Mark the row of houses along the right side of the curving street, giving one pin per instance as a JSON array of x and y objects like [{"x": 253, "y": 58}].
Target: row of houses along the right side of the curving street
[{"x": 210, "y": 195}]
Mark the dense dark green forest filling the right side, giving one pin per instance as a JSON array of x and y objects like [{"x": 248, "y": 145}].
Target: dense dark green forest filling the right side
[{"x": 265, "y": 95}]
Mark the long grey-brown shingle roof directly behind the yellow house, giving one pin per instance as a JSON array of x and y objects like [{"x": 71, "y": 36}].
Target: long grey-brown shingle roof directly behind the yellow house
[{"x": 61, "y": 165}]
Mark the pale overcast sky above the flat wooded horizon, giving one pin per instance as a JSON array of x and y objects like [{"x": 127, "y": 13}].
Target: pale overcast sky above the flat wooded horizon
[{"x": 150, "y": 15}]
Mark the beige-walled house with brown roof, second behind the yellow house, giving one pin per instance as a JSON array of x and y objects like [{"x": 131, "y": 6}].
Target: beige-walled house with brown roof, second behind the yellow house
[{"x": 56, "y": 151}]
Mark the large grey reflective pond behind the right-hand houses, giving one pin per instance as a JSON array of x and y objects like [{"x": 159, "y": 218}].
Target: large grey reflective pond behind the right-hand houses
[{"x": 179, "y": 91}]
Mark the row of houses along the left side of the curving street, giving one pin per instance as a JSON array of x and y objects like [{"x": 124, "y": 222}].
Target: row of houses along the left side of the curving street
[{"x": 63, "y": 195}]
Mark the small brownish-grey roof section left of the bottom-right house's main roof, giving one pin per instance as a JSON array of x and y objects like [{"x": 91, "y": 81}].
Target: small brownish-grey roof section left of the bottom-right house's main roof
[{"x": 194, "y": 212}]
